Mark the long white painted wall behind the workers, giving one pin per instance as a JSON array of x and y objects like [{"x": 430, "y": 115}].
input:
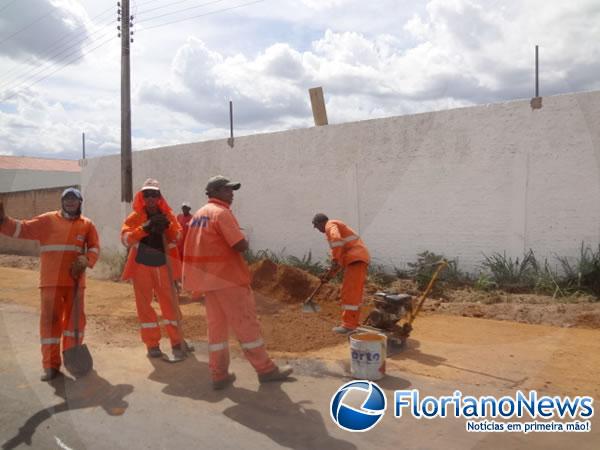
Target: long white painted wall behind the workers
[{"x": 461, "y": 182}]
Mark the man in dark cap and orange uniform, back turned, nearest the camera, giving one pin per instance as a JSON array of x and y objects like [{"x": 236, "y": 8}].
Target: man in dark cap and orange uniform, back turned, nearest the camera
[{"x": 213, "y": 264}]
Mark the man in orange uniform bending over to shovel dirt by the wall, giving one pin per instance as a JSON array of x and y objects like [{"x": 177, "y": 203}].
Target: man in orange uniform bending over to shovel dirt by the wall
[{"x": 348, "y": 253}]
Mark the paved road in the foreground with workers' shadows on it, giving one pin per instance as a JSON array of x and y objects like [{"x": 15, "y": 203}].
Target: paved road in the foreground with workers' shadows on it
[{"x": 132, "y": 402}]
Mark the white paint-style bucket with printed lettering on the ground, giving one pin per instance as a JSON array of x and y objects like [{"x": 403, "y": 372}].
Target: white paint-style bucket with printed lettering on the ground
[{"x": 367, "y": 356}]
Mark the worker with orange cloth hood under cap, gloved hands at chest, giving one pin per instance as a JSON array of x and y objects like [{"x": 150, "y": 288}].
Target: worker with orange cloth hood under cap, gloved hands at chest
[{"x": 152, "y": 267}]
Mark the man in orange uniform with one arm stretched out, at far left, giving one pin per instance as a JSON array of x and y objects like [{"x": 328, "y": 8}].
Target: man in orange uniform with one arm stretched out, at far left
[{"x": 69, "y": 244}]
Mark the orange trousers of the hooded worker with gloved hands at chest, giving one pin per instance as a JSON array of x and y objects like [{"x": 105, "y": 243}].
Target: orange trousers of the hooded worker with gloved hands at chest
[{"x": 148, "y": 281}]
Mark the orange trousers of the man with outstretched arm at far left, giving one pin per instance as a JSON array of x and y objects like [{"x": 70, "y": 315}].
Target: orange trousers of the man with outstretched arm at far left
[{"x": 56, "y": 322}]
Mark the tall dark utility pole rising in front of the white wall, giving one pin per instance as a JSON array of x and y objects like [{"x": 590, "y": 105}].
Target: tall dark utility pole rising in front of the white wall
[{"x": 126, "y": 163}]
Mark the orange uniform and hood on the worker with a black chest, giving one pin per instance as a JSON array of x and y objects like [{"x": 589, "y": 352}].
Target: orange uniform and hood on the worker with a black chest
[{"x": 152, "y": 280}]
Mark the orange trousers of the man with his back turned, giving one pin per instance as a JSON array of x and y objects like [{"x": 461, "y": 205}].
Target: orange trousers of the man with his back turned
[{"x": 234, "y": 307}]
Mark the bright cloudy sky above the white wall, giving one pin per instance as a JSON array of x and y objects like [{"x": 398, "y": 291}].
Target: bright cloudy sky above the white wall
[{"x": 61, "y": 64}]
